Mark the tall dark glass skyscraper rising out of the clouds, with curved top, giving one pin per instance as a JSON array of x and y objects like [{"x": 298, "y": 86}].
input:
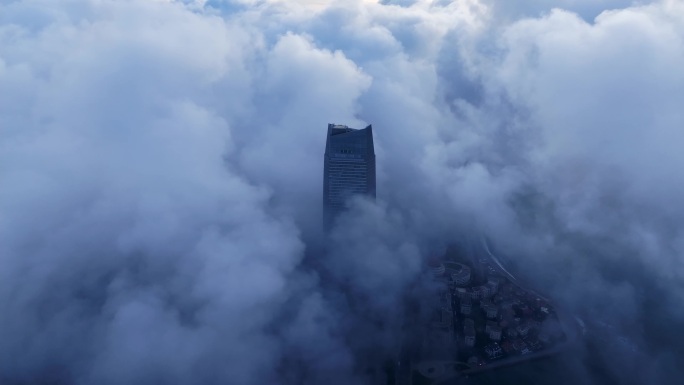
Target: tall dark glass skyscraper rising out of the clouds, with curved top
[{"x": 349, "y": 167}]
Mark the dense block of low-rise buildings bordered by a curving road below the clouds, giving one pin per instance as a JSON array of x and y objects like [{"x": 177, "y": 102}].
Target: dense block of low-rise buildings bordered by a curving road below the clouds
[{"x": 491, "y": 317}]
